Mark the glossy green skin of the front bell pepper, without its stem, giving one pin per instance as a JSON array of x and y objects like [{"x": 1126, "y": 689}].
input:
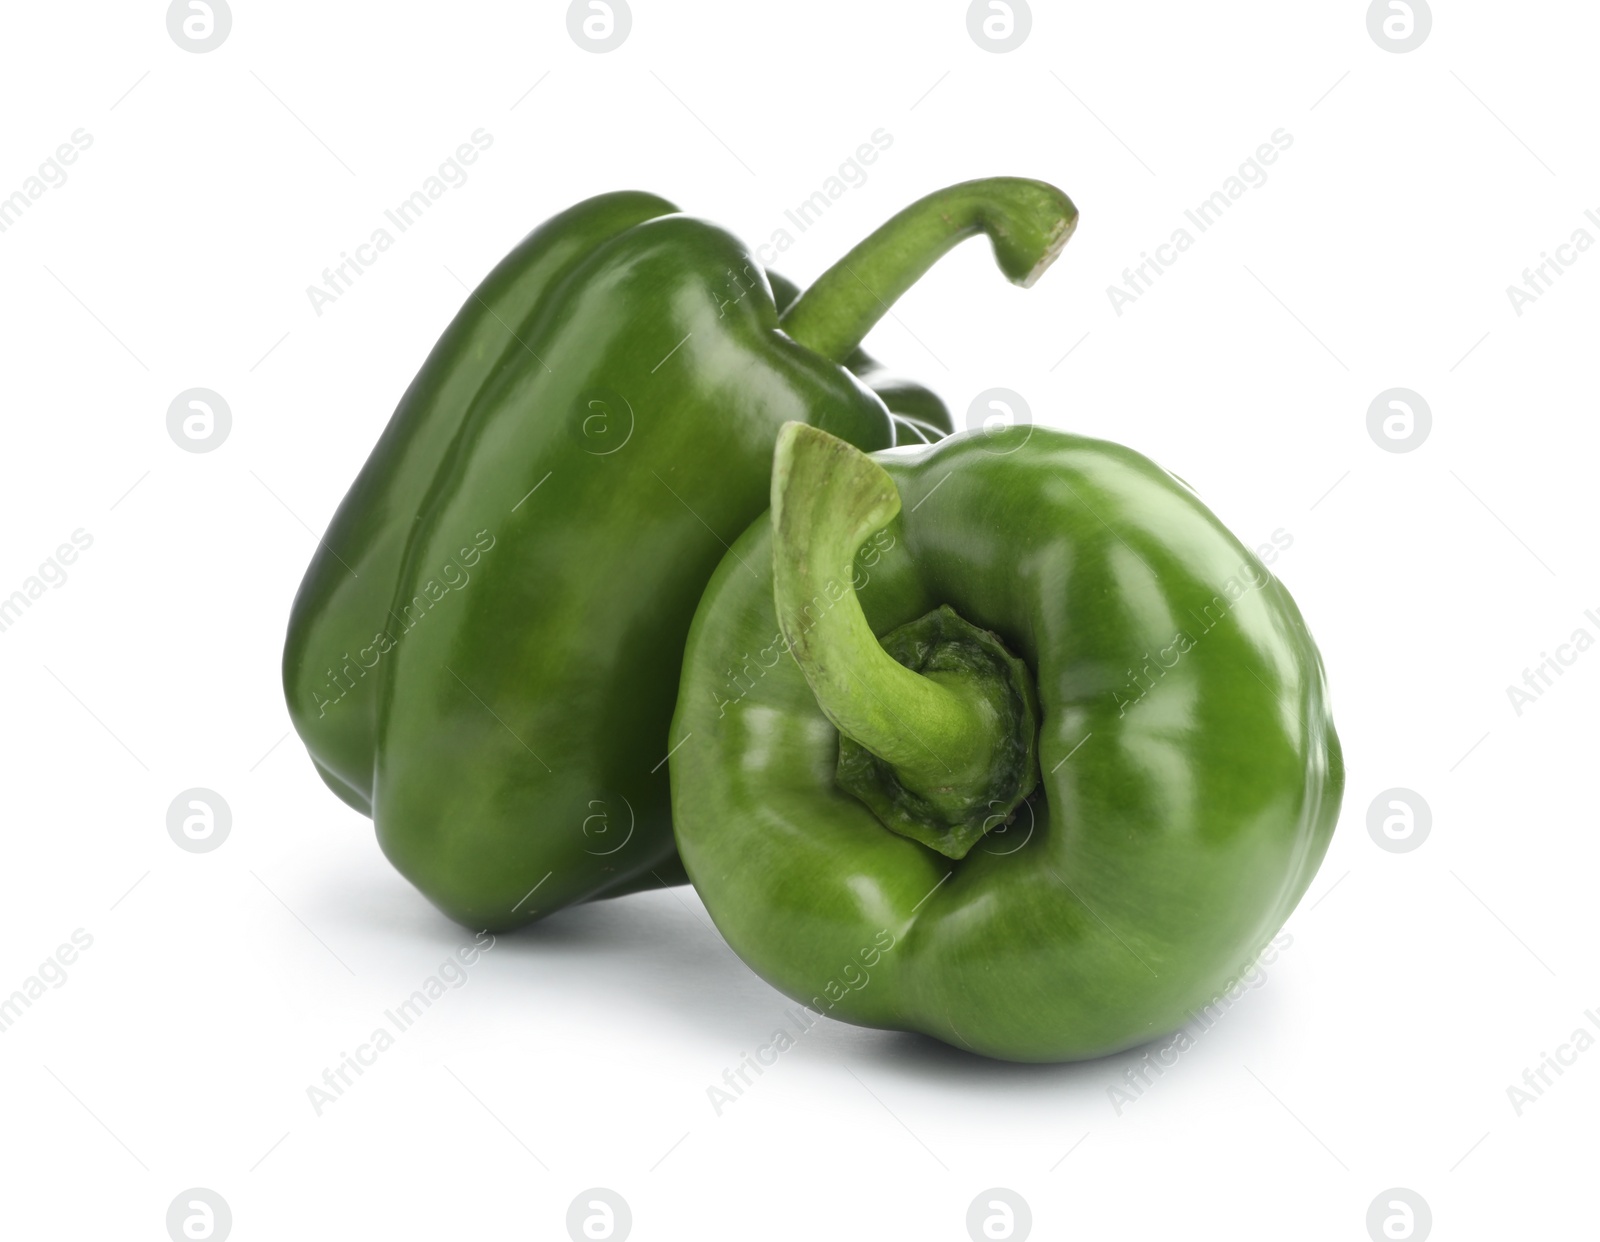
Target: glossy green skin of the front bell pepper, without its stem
[{"x": 1174, "y": 830}]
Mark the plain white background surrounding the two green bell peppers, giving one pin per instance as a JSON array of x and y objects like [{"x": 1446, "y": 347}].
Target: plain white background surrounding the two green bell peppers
[{"x": 220, "y": 985}]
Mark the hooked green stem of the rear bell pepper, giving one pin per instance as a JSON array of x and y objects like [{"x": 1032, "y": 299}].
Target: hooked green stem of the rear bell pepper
[{"x": 1028, "y": 223}]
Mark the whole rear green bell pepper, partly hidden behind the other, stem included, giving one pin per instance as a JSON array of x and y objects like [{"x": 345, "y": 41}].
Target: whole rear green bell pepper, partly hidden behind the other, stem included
[{"x": 486, "y": 651}]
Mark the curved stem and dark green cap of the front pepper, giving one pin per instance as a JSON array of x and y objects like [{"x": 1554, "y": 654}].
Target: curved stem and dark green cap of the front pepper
[{"x": 943, "y": 755}]
